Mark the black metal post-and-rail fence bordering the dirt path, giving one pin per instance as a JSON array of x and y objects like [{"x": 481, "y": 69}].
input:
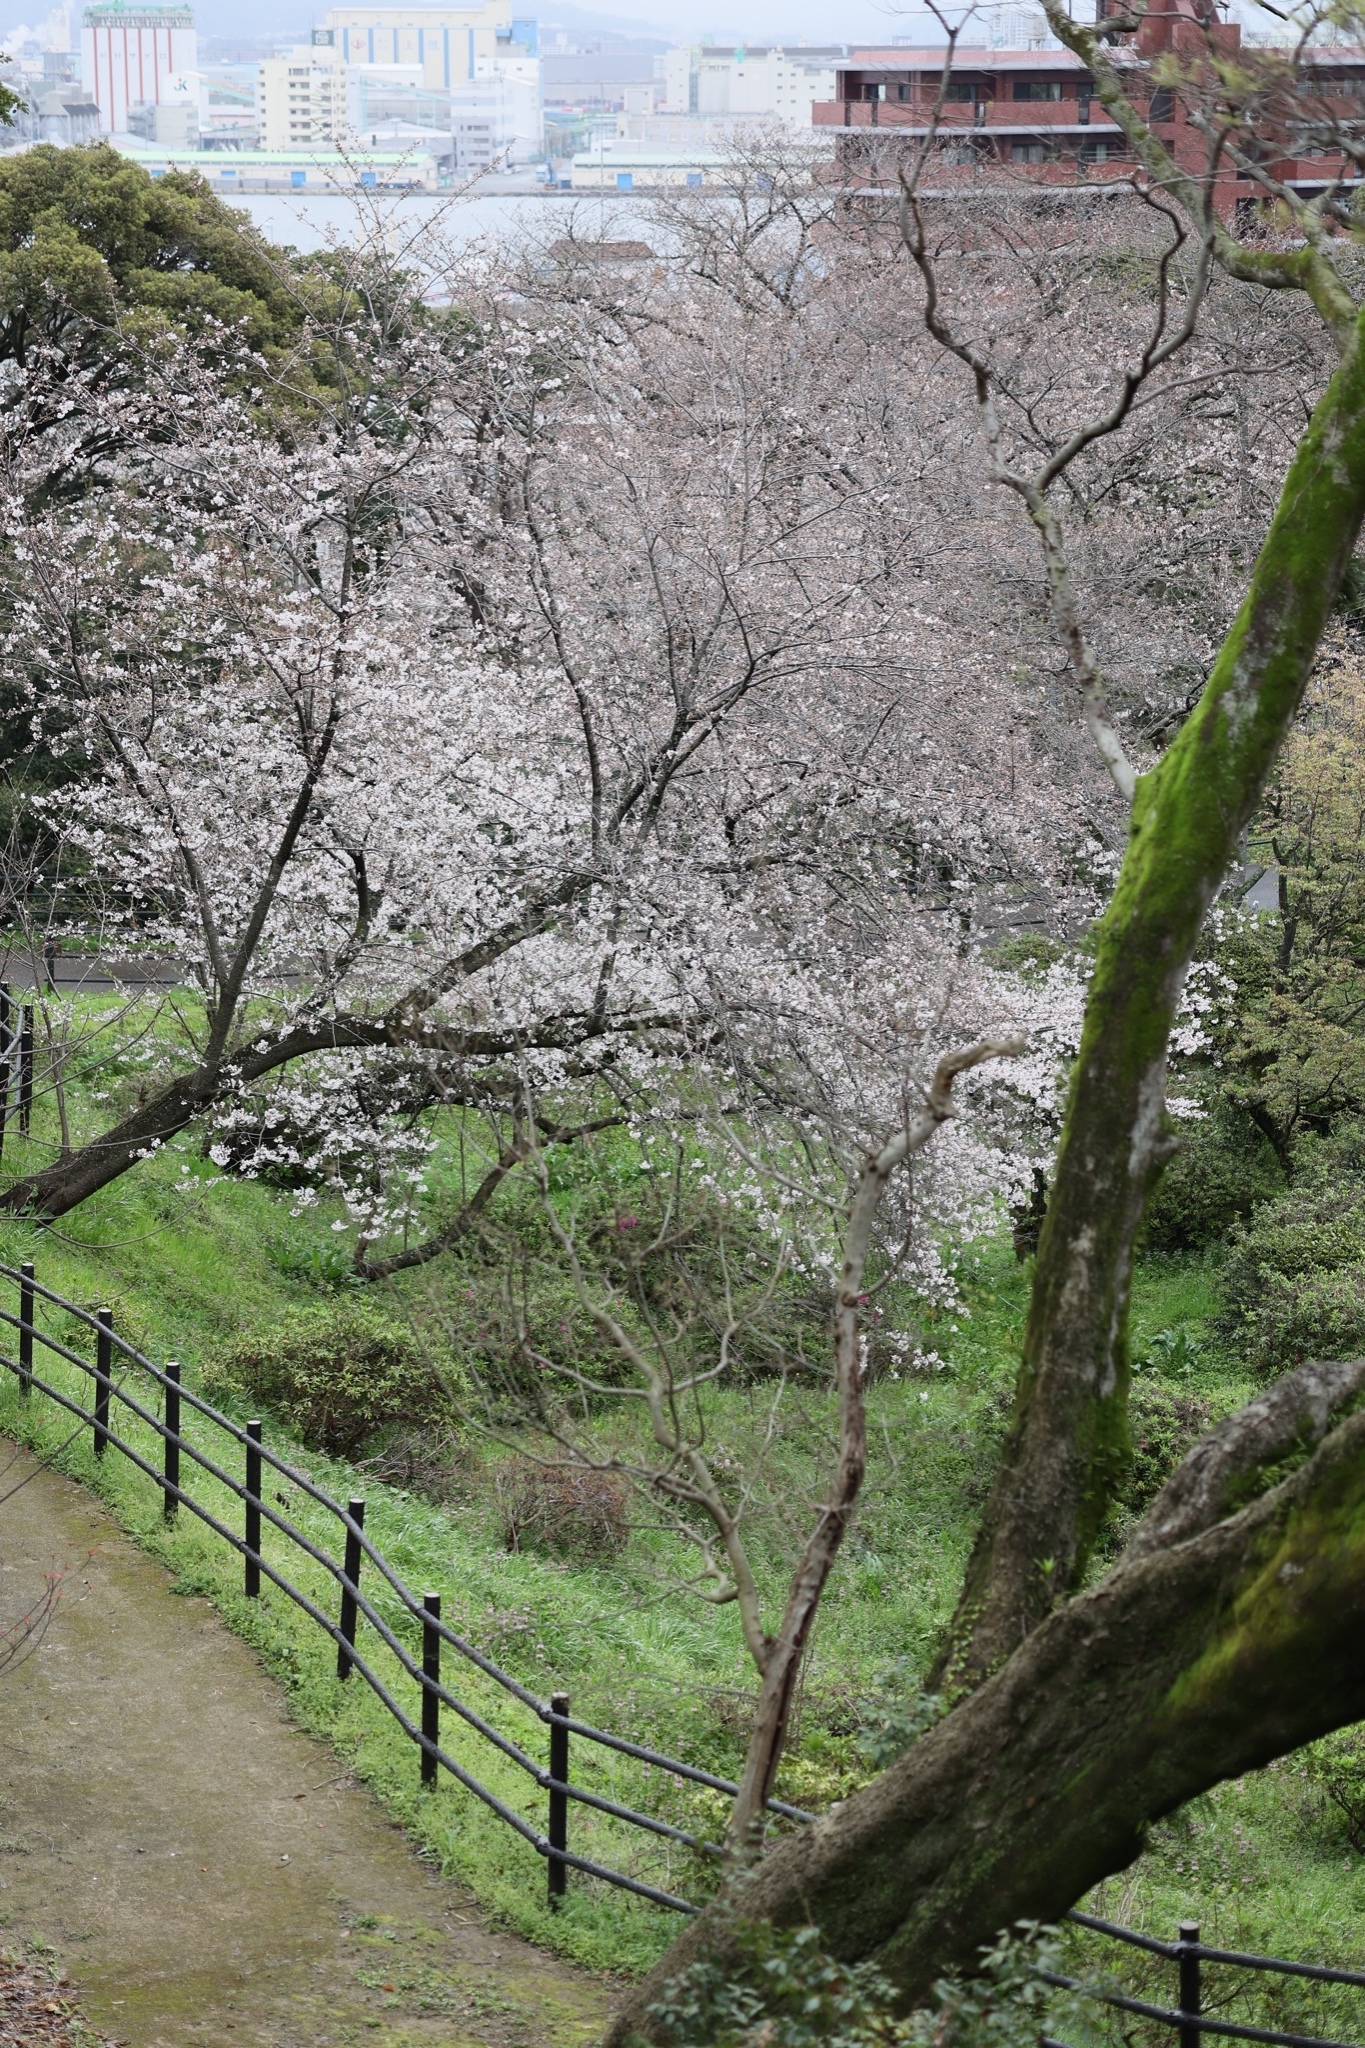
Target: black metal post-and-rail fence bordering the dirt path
[{"x": 363, "y": 1564}]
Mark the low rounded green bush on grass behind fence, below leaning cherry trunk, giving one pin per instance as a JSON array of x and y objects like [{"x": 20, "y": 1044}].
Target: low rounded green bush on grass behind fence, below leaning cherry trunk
[{"x": 343, "y": 1375}]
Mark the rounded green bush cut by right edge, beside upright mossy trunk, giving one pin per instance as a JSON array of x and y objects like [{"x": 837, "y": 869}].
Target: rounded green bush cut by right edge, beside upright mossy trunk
[{"x": 1294, "y": 1285}]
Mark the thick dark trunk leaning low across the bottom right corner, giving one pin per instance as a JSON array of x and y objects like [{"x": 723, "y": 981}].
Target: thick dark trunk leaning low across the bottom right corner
[{"x": 1180, "y": 1670}]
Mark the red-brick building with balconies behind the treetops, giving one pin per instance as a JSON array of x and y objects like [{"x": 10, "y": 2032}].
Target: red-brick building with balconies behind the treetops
[{"x": 1037, "y": 110}]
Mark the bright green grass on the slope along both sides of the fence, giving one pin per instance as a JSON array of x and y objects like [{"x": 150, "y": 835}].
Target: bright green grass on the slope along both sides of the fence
[{"x": 187, "y": 1263}]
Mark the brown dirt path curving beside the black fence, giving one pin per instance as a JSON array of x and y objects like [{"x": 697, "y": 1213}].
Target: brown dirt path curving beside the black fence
[{"x": 204, "y": 1869}]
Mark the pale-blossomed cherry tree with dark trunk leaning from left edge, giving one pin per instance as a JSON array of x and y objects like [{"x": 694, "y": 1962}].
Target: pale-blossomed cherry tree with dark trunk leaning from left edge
[{"x": 523, "y": 703}]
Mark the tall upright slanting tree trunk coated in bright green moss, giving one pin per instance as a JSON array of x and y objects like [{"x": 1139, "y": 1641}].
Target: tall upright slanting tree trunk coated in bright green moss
[{"x": 1067, "y": 1441}]
